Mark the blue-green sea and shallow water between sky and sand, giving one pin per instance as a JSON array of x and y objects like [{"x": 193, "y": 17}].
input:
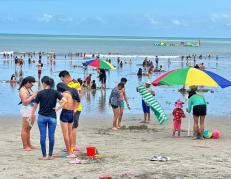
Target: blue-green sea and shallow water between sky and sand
[{"x": 134, "y": 48}]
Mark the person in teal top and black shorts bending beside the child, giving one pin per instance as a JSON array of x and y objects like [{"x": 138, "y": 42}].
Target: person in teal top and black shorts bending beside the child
[{"x": 198, "y": 105}]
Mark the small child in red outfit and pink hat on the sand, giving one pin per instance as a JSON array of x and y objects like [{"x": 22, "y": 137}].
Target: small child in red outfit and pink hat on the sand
[{"x": 178, "y": 114}]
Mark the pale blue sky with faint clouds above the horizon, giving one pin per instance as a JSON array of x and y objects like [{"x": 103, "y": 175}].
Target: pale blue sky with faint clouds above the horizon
[{"x": 156, "y": 18}]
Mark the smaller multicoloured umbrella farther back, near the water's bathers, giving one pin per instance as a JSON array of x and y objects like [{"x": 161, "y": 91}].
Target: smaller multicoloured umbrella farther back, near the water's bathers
[{"x": 101, "y": 64}]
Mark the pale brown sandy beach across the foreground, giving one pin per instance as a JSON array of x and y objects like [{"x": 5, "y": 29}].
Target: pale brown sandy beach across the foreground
[{"x": 125, "y": 153}]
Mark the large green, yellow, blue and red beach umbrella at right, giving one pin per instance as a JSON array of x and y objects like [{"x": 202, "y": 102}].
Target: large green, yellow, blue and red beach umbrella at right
[{"x": 191, "y": 77}]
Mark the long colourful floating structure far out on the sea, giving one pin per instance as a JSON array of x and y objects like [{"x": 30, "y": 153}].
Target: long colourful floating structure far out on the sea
[{"x": 177, "y": 44}]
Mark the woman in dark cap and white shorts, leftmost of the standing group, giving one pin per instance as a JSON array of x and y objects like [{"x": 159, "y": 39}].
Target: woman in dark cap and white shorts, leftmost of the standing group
[{"x": 27, "y": 97}]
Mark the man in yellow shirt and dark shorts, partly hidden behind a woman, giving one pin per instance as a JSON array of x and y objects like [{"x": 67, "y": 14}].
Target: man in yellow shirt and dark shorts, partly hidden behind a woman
[{"x": 70, "y": 82}]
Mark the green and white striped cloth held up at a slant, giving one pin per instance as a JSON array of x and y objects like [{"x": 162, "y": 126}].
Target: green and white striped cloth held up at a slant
[{"x": 150, "y": 100}]
